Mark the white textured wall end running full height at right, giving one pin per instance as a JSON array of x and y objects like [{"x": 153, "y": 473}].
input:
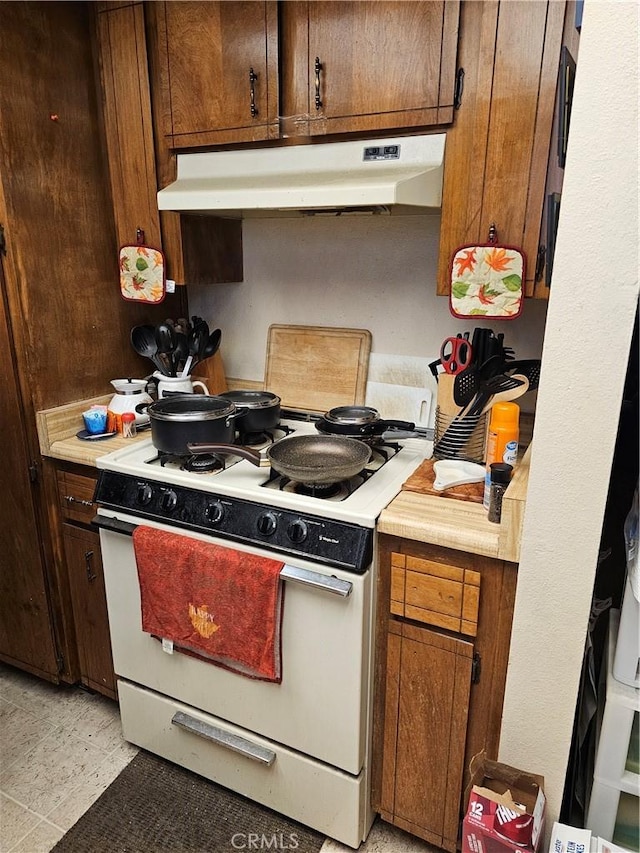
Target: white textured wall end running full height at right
[{"x": 594, "y": 295}]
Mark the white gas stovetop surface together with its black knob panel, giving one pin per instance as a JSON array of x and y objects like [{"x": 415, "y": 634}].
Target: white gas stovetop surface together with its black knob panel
[{"x": 245, "y": 503}]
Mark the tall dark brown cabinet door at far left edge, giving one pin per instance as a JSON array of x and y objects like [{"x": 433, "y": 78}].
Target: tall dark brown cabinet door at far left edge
[{"x": 26, "y": 637}]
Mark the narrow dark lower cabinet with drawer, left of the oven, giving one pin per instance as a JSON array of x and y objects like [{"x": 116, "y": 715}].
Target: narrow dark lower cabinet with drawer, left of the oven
[{"x": 81, "y": 551}]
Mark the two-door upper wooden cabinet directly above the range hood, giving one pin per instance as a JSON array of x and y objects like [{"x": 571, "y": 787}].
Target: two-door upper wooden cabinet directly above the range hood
[{"x": 342, "y": 67}]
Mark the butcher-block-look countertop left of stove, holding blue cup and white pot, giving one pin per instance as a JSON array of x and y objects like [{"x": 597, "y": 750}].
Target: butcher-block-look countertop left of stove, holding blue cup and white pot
[{"x": 57, "y": 430}]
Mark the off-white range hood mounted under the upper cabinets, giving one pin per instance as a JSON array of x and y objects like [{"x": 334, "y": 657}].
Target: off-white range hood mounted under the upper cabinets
[{"x": 375, "y": 175}]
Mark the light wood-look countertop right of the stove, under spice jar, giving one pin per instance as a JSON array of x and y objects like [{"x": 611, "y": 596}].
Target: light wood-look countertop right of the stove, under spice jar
[{"x": 461, "y": 525}]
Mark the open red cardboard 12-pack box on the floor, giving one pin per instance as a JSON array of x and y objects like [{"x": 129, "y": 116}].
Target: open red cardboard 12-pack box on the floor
[{"x": 505, "y": 809}]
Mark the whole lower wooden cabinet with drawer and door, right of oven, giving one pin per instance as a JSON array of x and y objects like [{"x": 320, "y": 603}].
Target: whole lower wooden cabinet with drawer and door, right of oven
[{"x": 439, "y": 689}]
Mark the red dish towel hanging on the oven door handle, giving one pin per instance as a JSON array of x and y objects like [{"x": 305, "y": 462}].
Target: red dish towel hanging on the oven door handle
[{"x": 221, "y": 604}]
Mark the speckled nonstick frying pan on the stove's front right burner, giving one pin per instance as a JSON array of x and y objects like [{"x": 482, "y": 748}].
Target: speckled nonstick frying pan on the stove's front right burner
[{"x": 304, "y": 458}]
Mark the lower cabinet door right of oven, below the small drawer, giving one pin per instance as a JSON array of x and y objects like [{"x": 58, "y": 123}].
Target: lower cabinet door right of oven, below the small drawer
[{"x": 428, "y": 680}]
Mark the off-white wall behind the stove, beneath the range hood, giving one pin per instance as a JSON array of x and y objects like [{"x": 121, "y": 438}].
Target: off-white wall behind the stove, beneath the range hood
[{"x": 371, "y": 272}]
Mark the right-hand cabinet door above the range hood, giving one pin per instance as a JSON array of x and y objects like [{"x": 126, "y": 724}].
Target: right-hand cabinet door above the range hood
[{"x": 381, "y": 65}]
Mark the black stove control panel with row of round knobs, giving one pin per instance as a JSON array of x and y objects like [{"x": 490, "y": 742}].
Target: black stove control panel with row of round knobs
[{"x": 334, "y": 543}]
